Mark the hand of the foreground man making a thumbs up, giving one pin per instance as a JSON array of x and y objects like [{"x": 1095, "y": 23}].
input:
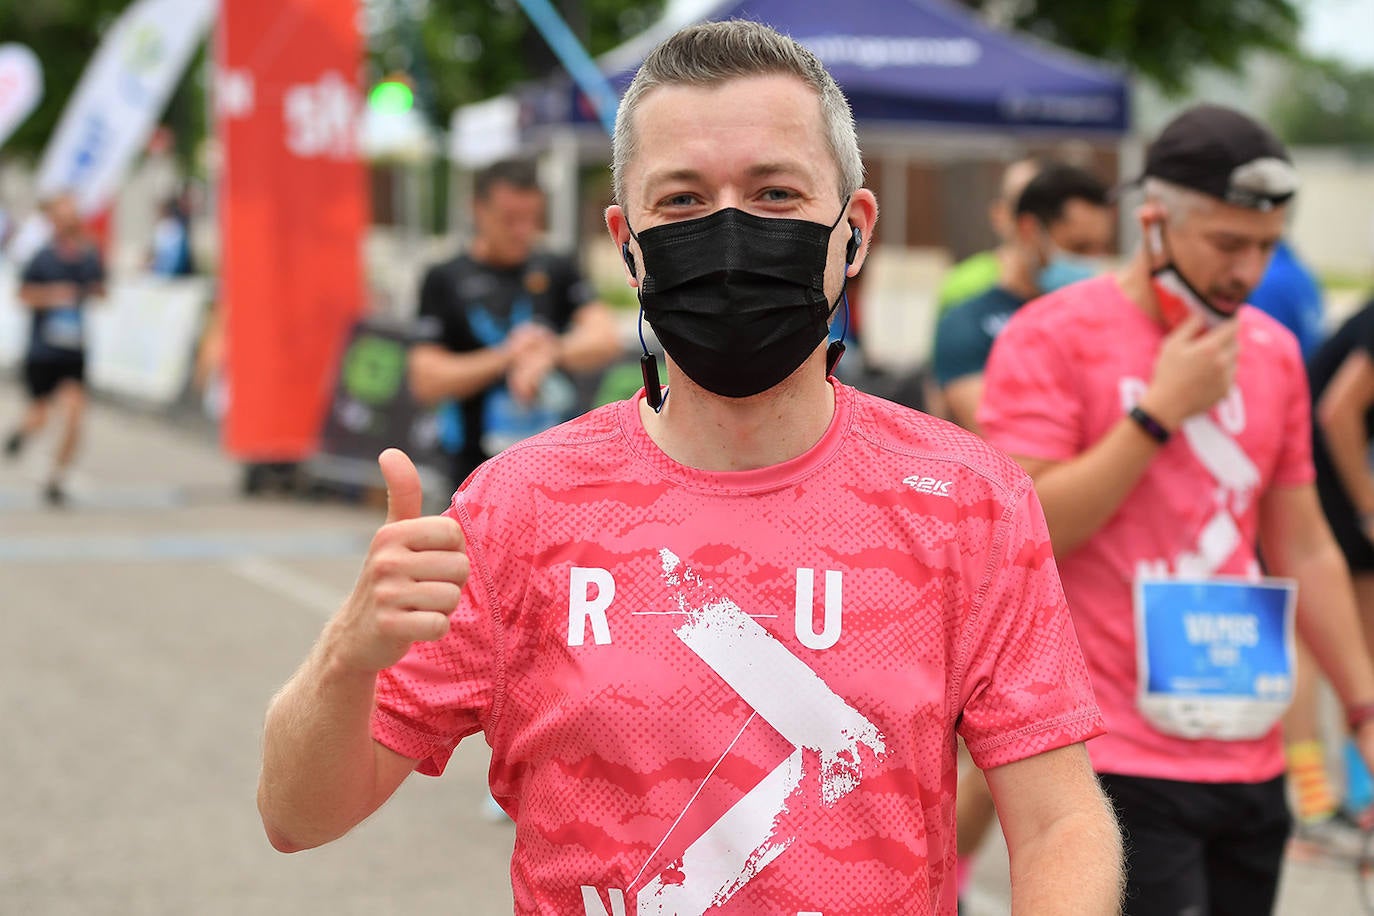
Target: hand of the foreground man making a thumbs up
[{"x": 412, "y": 579}]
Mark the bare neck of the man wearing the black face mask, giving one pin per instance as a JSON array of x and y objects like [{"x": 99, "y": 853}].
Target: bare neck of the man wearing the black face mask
[{"x": 711, "y": 433}]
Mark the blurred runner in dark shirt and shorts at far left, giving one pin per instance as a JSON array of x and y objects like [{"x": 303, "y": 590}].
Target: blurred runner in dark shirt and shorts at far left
[{"x": 57, "y": 286}]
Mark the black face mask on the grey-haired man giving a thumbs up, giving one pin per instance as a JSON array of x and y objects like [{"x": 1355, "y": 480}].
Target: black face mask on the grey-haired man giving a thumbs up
[{"x": 737, "y": 300}]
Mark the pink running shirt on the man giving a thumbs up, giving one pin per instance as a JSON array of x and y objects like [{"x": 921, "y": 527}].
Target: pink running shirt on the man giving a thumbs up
[{"x": 739, "y": 691}]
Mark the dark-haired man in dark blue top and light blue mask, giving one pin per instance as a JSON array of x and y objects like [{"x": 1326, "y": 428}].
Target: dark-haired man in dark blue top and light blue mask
[{"x": 1061, "y": 219}]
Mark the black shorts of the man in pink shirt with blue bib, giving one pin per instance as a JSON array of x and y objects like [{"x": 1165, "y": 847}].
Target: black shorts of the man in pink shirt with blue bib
[{"x": 1200, "y": 848}]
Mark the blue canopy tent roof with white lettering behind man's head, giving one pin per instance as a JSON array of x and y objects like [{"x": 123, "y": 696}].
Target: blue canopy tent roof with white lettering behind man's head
[{"x": 903, "y": 62}]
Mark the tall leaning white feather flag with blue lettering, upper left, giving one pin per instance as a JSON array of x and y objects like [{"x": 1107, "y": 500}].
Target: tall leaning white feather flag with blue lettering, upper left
[{"x": 120, "y": 98}]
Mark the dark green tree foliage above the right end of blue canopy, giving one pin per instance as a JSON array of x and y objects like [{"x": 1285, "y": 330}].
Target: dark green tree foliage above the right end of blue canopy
[{"x": 1163, "y": 41}]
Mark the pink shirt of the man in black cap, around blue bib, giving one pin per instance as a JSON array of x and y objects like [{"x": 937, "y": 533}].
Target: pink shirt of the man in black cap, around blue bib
[{"x": 1068, "y": 367}]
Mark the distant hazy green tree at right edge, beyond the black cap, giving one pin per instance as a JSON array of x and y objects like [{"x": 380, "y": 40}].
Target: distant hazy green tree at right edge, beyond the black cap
[{"x": 1327, "y": 102}]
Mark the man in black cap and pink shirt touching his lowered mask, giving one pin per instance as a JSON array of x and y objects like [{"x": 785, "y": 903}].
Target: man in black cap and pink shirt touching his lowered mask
[{"x": 1167, "y": 429}]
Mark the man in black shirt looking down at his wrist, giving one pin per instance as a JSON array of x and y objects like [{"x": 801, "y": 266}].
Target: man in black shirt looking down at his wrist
[{"x": 498, "y": 322}]
